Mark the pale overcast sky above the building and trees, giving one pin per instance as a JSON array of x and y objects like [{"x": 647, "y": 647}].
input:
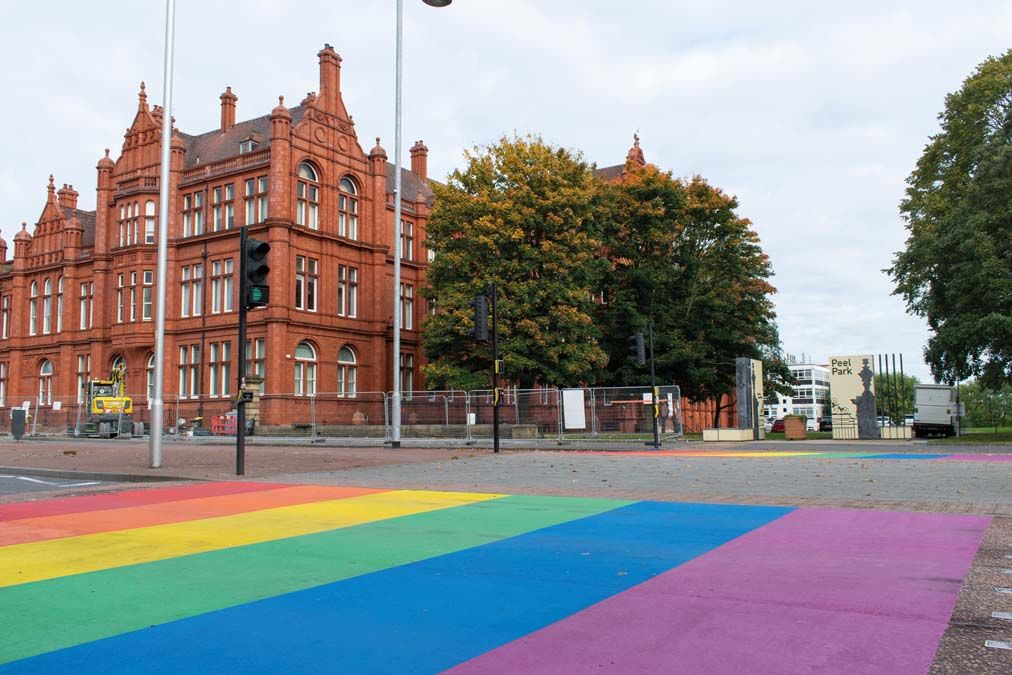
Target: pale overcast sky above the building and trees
[{"x": 813, "y": 118}]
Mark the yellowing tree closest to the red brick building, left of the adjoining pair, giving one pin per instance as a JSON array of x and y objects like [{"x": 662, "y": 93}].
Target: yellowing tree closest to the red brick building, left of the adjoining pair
[{"x": 526, "y": 215}]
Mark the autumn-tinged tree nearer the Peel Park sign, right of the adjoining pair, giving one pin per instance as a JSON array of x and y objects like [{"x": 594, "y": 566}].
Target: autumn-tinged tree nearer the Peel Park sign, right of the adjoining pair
[{"x": 682, "y": 256}]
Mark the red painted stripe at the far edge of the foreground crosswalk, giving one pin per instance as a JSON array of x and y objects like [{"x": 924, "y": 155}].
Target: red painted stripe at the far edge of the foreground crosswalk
[{"x": 126, "y": 498}]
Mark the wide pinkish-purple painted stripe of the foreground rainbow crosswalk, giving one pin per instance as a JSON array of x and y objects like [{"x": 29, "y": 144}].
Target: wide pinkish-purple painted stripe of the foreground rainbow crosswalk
[{"x": 817, "y": 592}]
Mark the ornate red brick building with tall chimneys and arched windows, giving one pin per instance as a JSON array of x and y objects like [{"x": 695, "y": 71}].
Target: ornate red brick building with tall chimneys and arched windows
[{"x": 78, "y": 294}]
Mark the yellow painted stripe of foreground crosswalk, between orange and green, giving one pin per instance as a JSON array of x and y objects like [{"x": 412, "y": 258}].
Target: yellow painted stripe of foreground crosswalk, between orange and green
[{"x": 25, "y": 563}]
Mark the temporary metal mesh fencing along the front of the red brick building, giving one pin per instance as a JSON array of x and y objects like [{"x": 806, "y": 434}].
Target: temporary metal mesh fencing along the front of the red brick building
[{"x": 540, "y": 414}]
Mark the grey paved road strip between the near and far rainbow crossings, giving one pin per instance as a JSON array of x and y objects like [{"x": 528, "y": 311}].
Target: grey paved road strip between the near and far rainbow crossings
[{"x": 970, "y": 483}]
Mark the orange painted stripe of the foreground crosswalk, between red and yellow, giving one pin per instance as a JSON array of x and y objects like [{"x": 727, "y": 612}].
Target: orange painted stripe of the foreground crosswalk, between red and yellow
[{"x": 74, "y": 525}]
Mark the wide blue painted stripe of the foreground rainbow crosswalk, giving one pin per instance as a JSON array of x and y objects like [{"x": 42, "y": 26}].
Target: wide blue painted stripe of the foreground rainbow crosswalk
[{"x": 429, "y": 616}]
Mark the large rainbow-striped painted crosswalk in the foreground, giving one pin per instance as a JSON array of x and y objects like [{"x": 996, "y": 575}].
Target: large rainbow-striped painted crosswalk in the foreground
[{"x": 270, "y": 578}]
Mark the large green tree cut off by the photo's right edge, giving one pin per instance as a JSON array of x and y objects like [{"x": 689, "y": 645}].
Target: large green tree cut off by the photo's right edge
[{"x": 957, "y": 268}]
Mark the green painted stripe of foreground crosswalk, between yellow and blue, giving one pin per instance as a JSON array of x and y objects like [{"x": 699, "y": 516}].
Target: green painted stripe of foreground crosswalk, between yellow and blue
[{"x": 55, "y": 614}]
